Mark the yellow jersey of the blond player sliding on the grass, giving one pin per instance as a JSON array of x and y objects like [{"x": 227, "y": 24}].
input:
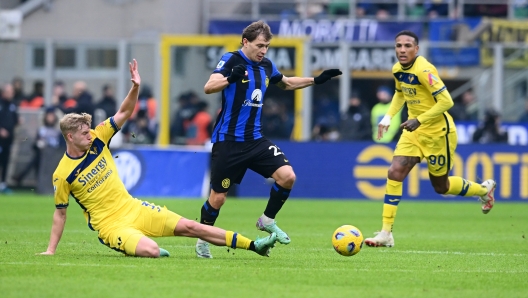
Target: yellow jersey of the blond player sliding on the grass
[{"x": 92, "y": 180}]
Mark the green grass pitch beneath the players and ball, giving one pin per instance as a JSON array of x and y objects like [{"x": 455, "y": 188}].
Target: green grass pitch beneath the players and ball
[{"x": 442, "y": 249}]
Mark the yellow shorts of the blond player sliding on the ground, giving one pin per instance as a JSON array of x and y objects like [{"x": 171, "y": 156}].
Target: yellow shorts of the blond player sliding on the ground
[{"x": 145, "y": 220}]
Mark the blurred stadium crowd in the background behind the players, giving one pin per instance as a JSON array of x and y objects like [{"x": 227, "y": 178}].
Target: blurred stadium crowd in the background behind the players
[{"x": 192, "y": 122}]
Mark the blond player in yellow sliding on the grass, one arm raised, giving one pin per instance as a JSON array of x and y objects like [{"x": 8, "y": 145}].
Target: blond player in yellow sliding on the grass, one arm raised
[{"x": 88, "y": 173}]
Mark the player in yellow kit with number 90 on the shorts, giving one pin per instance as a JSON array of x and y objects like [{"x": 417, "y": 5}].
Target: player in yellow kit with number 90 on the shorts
[{"x": 429, "y": 133}]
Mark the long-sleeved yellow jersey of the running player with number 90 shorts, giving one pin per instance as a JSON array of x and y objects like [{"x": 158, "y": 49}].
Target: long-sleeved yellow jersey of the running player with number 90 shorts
[{"x": 426, "y": 96}]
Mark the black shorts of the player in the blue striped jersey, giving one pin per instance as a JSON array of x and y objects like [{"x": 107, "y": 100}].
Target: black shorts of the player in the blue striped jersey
[{"x": 230, "y": 160}]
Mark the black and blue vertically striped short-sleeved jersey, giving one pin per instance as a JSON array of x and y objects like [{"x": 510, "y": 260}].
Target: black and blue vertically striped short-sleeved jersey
[{"x": 240, "y": 117}]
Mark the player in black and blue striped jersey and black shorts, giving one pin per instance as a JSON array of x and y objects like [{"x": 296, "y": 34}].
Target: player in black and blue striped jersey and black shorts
[{"x": 243, "y": 77}]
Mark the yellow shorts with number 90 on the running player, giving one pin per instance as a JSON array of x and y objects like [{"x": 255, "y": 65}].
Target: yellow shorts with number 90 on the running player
[{"x": 439, "y": 151}]
